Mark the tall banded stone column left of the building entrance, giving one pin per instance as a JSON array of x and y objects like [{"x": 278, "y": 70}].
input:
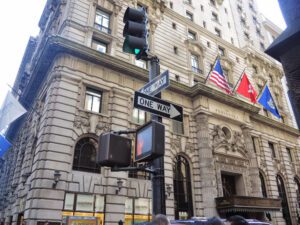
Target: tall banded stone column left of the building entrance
[{"x": 206, "y": 166}]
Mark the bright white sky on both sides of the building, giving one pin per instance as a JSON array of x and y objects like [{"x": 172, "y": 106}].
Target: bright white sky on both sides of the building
[{"x": 19, "y": 20}]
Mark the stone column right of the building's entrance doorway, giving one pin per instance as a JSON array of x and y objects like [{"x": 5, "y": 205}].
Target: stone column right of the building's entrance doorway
[{"x": 255, "y": 190}]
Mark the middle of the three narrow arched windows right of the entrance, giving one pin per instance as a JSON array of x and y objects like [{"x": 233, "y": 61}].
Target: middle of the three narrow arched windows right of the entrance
[{"x": 284, "y": 201}]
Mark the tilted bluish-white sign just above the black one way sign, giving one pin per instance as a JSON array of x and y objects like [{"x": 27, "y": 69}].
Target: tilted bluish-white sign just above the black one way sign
[{"x": 156, "y": 85}]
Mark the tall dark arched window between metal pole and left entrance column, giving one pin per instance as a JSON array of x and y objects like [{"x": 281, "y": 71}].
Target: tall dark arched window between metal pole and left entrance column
[{"x": 182, "y": 188}]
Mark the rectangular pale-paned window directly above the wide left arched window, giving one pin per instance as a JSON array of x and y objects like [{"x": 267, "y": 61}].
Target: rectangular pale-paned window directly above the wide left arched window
[{"x": 93, "y": 100}]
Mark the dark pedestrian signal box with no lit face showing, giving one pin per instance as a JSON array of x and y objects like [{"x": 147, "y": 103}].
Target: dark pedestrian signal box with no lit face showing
[{"x": 114, "y": 150}]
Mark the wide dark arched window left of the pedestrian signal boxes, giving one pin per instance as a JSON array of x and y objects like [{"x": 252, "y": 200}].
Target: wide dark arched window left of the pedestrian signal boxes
[{"x": 85, "y": 155}]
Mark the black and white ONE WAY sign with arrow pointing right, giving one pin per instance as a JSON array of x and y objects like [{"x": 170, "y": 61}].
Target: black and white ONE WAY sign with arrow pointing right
[{"x": 157, "y": 106}]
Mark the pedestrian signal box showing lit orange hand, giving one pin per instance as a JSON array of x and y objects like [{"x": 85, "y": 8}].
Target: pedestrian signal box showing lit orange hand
[{"x": 150, "y": 141}]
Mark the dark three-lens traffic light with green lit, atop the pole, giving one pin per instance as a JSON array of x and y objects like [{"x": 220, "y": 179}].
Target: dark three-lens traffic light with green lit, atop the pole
[{"x": 135, "y": 32}]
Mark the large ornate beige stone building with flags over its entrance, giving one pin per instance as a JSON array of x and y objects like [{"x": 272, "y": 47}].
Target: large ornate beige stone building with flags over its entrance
[{"x": 229, "y": 156}]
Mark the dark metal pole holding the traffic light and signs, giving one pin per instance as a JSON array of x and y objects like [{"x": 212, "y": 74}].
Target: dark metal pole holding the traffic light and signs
[{"x": 158, "y": 182}]
